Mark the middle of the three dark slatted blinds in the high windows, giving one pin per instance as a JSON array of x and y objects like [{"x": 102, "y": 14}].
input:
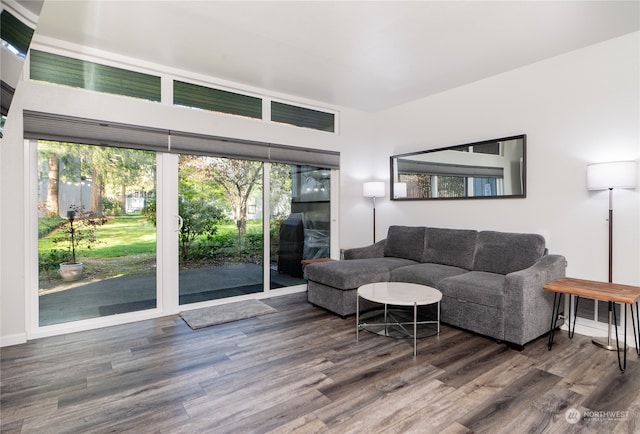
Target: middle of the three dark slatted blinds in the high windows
[{"x": 206, "y": 98}]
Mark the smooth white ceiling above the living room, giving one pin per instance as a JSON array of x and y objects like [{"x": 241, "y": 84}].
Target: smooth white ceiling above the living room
[{"x": 359, "y": 54}]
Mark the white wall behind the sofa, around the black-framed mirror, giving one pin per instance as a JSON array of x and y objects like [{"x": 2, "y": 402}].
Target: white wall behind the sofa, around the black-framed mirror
[{"x": 576, "y": 109}]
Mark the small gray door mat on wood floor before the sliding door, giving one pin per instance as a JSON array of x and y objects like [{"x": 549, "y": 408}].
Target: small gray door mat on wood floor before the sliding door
[{"x": 212, "y": 315}]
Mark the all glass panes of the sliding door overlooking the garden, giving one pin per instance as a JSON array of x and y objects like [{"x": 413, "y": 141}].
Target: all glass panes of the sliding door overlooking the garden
[{"x": 97, "y": 212}]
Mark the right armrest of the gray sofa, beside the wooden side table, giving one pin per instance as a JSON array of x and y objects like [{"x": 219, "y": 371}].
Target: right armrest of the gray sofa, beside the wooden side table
[{"x": 527, "y": 306}]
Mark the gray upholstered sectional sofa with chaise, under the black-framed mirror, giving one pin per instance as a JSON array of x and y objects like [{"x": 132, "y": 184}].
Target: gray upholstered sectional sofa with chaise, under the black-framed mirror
[{"x": 491, "y": 281}]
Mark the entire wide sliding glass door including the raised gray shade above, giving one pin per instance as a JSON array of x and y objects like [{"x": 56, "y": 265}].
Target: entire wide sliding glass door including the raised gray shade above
[{"x": 153, "y": 221}]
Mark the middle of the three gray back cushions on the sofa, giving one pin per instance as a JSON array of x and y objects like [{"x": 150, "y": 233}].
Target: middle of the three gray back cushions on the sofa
[{"x": 453, "y": 247}]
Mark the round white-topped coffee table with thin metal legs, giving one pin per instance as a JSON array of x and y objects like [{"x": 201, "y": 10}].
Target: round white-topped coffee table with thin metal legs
[{"x": 399, "y": 294}]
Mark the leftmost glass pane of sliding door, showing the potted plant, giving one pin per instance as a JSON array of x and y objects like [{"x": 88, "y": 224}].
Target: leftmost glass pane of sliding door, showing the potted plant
[{"x": 96, "y": 231}]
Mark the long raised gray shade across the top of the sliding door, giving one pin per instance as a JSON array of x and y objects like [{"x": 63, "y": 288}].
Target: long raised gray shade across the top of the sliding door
[{"x": 46, "y": 126}]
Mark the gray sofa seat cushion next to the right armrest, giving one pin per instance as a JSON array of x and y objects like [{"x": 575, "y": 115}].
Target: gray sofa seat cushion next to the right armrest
[{"x": 477, "y": 287}]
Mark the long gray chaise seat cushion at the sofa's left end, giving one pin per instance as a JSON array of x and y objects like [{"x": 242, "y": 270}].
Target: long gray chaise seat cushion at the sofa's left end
[{"x": 355, "y": 272}]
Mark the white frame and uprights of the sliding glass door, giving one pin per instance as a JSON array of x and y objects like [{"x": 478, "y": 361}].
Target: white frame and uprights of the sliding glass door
[{"x": 167, "y": 282}]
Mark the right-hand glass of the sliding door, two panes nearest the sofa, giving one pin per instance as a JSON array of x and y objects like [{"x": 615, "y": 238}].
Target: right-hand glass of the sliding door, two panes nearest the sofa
[{"x": 222, "y": 232}]
